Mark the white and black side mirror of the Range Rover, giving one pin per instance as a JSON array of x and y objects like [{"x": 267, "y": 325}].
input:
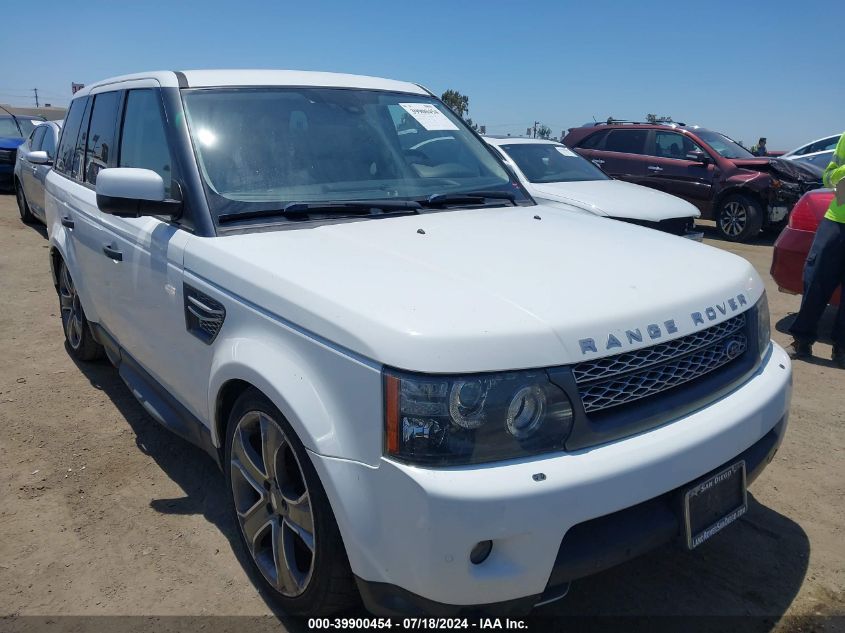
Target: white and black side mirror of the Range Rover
[{"x": 130, "y": 193}]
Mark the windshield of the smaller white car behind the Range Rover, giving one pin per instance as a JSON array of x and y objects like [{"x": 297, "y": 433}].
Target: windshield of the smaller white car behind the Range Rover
[{"x": 543, "y": 162}]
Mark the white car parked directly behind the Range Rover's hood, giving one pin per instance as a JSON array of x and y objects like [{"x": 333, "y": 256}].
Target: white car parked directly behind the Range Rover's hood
[{"x": 553, "y": 173}]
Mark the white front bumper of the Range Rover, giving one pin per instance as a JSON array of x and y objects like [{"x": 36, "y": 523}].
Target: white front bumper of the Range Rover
[{"x": 408, "y": 531}]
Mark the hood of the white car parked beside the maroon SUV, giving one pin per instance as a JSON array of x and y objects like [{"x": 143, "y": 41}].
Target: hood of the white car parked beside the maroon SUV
[{"x": 617, "y": 199}]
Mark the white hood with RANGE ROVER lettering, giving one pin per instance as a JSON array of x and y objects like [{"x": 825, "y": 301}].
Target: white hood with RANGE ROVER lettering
[{"x": 477, "y": 290}]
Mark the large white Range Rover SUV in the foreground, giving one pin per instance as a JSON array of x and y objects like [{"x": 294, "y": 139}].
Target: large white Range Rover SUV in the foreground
[{"x": 422, "y": 387}]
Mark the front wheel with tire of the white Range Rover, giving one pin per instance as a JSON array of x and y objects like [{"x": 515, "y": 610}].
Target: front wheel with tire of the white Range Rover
[{"x": 284, "y": 518}]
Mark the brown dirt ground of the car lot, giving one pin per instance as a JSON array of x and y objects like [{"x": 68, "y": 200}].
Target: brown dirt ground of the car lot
[{"x": 106, "y": 513}]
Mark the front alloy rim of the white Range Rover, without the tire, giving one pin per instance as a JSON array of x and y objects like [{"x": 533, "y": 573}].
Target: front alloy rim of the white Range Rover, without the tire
[{"x": 273, "y": 503}]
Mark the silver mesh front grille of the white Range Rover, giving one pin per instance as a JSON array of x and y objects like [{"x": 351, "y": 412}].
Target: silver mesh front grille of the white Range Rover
[{"x": 608, "y": 382}]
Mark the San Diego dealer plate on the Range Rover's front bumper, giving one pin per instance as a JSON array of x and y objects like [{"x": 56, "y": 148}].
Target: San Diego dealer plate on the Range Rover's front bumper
[{"x": 713, "y": 504}]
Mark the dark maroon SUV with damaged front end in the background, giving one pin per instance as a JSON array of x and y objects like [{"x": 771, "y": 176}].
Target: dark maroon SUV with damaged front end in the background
[{"x": 743, "y": 193}]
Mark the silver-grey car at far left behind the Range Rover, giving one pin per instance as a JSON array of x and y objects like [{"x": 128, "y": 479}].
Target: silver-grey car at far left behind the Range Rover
[{"x": 35, "y": 158}]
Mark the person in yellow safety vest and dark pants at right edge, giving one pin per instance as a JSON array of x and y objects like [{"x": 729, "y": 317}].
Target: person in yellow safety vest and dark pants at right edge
[{"x": 825, "y": 269}]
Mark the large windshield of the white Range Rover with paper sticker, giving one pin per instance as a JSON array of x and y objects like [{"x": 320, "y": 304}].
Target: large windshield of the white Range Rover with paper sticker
[{"x": 261, "y": 148}]
